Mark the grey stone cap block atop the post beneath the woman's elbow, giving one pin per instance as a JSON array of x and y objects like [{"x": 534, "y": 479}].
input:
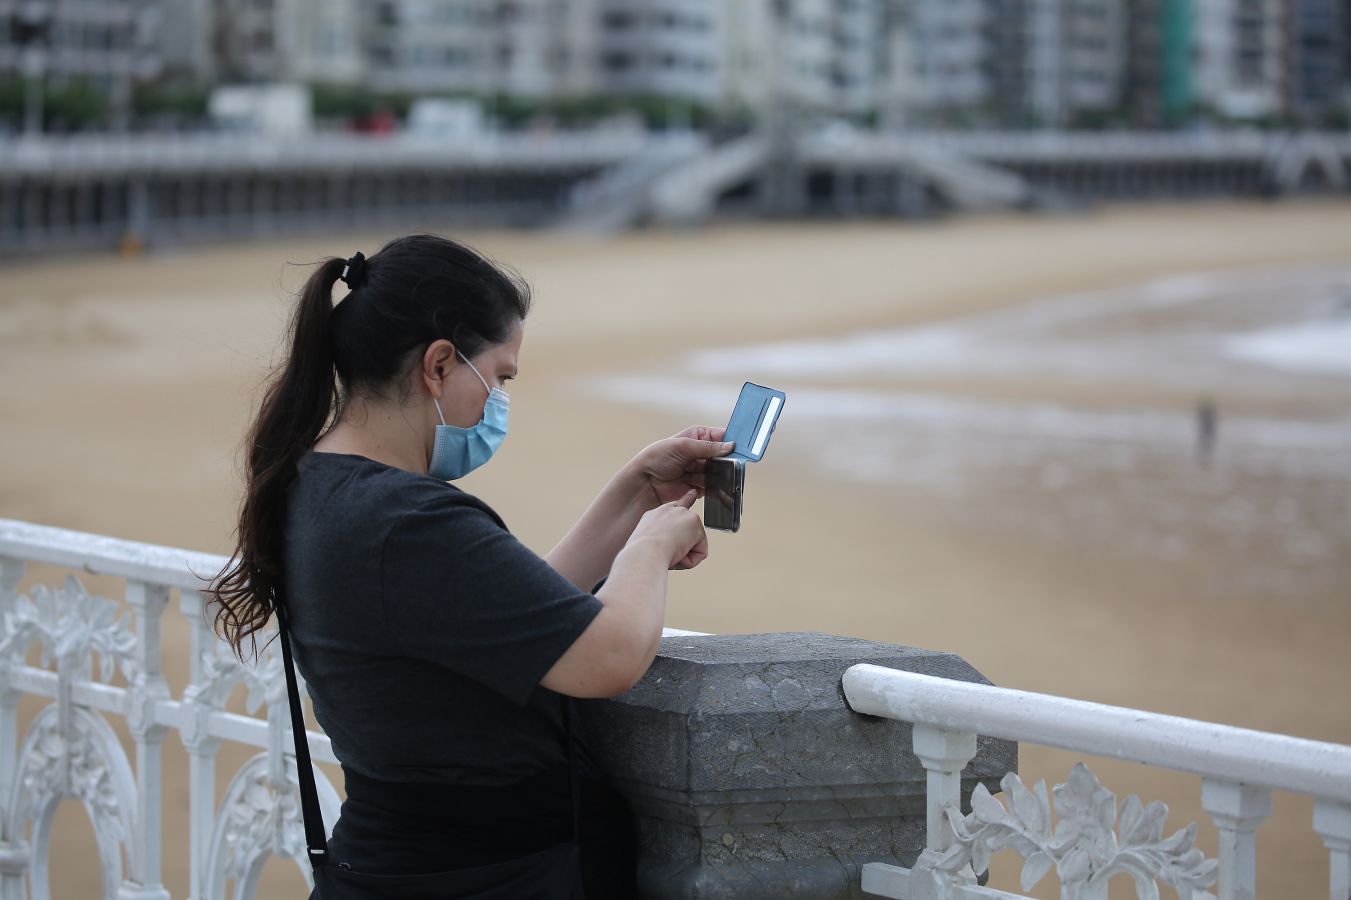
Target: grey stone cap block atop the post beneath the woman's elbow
[{"x": 768, "y": 711}]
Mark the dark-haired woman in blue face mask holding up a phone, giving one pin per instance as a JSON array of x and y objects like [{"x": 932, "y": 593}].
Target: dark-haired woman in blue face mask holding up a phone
[{"x": 440, "y": 652}]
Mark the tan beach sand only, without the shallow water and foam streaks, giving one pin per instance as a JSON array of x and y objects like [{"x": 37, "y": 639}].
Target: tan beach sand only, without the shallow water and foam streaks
[{"x": 129, "y": 386}]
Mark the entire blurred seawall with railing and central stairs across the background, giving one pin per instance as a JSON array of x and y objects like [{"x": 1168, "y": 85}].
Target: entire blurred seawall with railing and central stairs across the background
[{"x": 107, "y": 191}]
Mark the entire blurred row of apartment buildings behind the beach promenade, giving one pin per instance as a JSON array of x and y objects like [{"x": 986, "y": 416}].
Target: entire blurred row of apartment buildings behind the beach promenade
[{"x": 911, "y": 63}]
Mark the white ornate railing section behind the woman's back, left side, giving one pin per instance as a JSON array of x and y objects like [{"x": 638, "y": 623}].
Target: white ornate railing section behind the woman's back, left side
[{"x": 72, "y": 752}]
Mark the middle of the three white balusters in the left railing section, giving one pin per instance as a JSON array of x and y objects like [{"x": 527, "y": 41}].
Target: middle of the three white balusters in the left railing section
[{"x": 149, "y": 603}]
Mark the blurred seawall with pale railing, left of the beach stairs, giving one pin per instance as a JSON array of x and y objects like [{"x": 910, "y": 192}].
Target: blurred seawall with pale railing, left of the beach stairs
[{"x": 102, "y": 193}]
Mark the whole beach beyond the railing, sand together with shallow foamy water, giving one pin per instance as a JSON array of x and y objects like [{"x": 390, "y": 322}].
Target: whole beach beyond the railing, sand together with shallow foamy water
[{"x": 990, "y": 448}]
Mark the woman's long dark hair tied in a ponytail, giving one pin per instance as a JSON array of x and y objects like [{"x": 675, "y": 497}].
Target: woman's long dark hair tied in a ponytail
[{"x": 415, "y": 291}]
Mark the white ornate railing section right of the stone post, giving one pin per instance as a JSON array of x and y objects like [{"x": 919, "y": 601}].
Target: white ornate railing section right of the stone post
[{"x": 1094, "y": 840}]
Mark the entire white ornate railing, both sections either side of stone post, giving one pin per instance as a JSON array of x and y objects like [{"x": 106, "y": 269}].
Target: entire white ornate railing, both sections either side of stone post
[{"x": 98, "y": 661}]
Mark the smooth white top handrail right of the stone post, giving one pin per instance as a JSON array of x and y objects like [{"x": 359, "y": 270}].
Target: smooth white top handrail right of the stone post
[{"x": 1276, "y": 761}]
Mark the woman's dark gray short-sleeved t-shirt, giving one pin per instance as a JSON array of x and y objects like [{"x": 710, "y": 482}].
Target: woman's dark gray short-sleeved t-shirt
[{"x": 424, "y": 628}]
